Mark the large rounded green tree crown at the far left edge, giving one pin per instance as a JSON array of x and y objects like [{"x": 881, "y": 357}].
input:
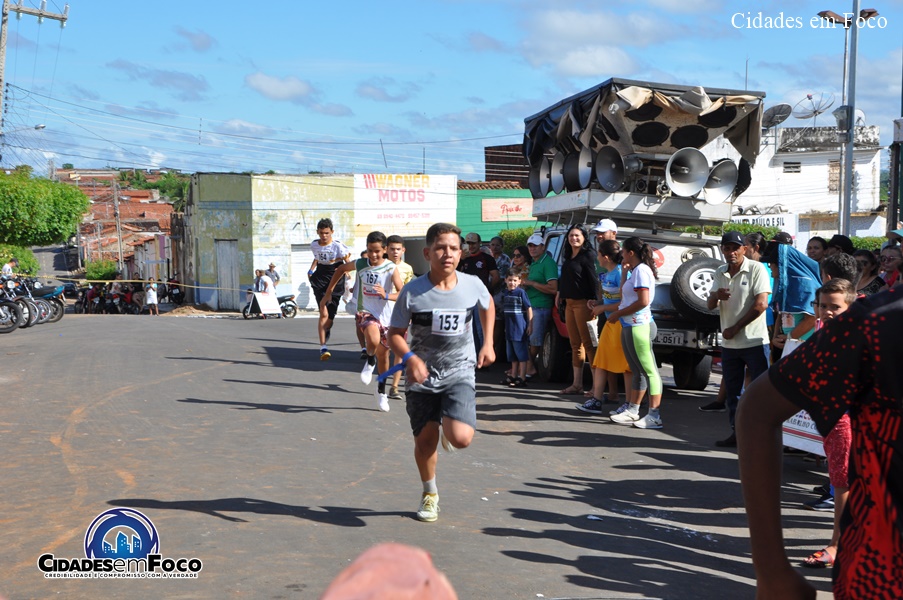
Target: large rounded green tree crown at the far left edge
[{"x": 38, "y": 212}]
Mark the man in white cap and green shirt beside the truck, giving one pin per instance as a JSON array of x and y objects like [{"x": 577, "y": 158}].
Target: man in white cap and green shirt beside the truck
[{"x": 541, "y": 285}]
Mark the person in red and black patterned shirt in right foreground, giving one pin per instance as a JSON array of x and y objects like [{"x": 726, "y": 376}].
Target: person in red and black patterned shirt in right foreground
[{"x": 852, "y": 364}]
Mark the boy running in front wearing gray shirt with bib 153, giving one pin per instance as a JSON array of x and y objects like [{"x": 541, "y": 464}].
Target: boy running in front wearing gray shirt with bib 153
[{"x": 438, "y": 307}]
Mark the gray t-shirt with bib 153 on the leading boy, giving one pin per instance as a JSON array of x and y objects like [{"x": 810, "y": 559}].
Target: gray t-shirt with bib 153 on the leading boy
[{"x": 441, "y": 327}]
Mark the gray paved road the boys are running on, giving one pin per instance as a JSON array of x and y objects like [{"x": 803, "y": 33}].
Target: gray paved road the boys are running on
[{"x": 276, "y": 470}]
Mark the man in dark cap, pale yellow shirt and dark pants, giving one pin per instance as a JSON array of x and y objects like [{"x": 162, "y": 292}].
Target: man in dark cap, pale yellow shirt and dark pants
[{"x": 740, "y": 291}]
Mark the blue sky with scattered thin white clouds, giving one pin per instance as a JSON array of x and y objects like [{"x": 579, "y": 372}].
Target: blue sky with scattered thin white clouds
[{"x": 393, "y": 86}]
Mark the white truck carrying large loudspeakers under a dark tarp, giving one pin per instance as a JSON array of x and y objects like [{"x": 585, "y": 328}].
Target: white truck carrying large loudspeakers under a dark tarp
[{"x": 651, "y": 157}]
